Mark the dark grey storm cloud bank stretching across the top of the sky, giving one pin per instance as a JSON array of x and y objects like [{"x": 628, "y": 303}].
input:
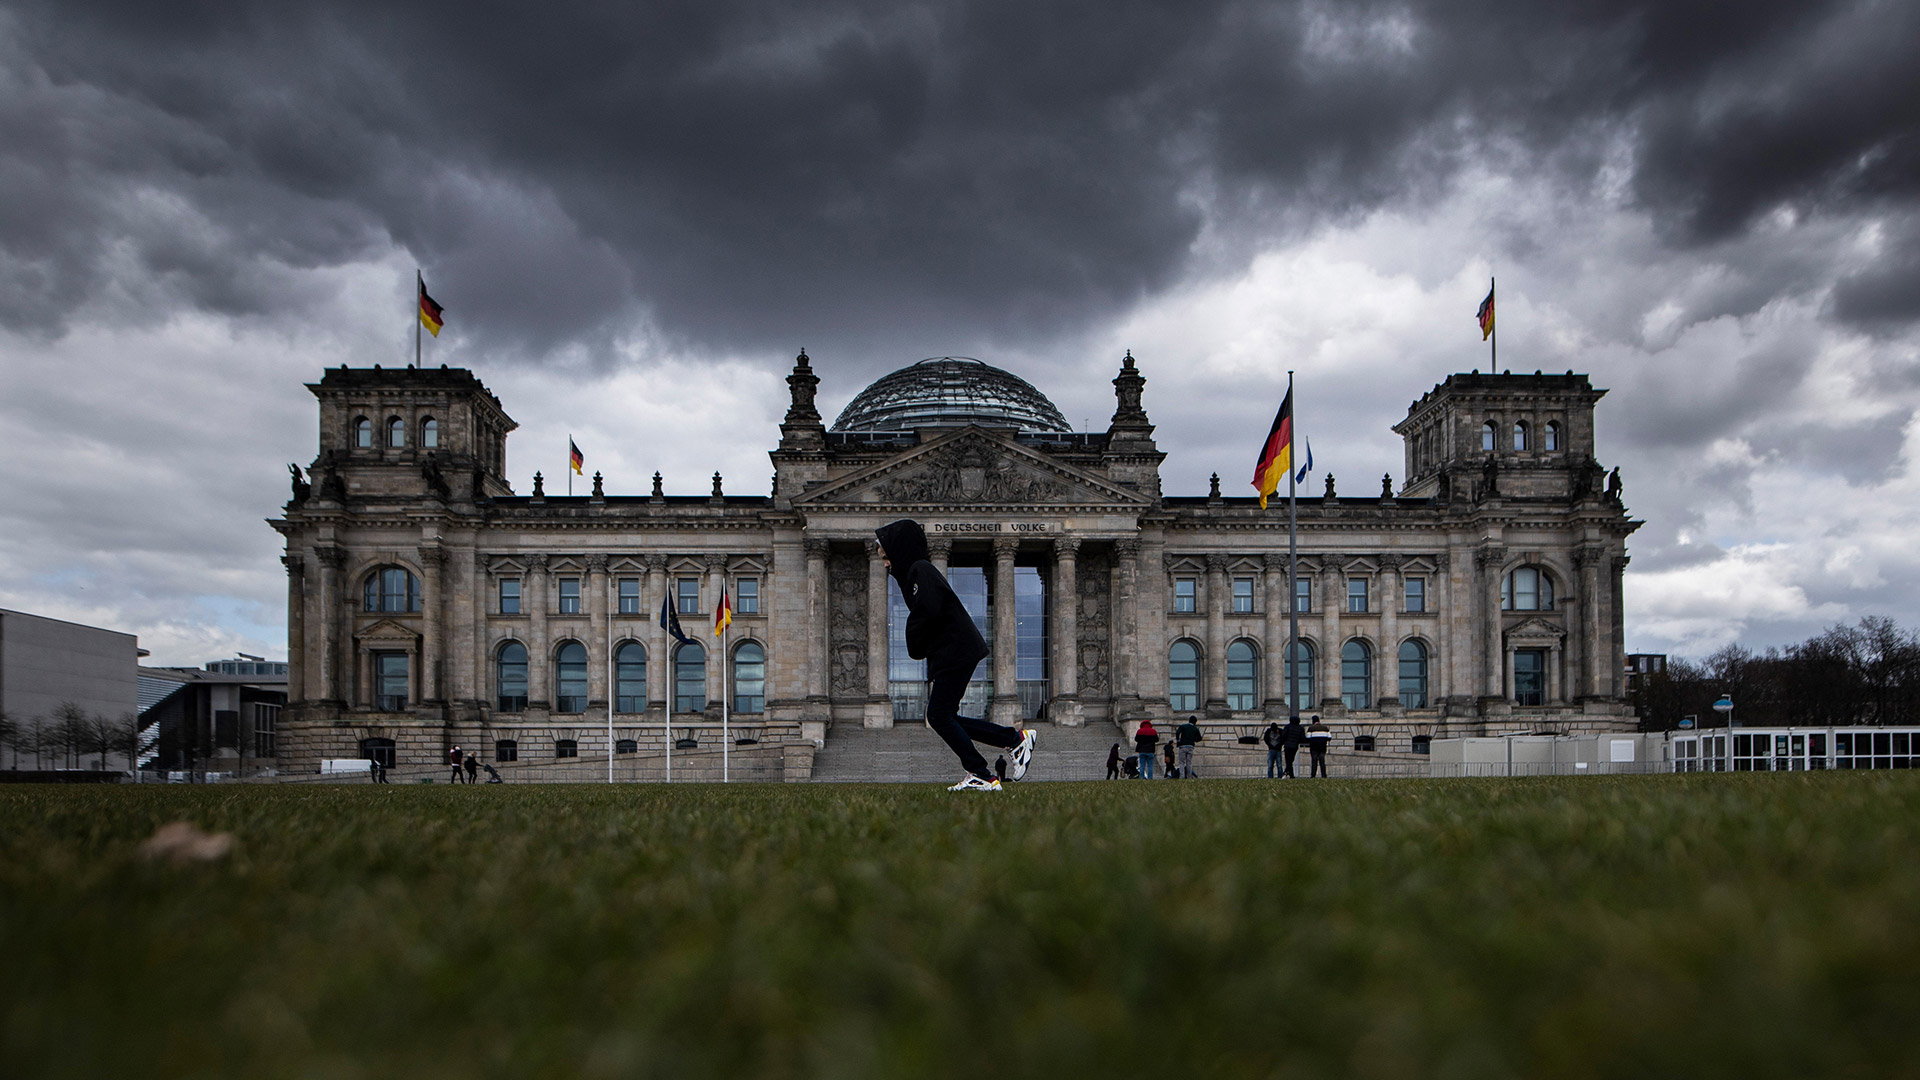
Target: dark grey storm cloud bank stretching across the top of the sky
[{"x": 748, "y": 174}]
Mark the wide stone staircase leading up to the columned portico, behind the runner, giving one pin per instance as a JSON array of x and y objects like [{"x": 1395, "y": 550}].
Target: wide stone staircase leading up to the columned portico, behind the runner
[{"x": 913, "y": 754}]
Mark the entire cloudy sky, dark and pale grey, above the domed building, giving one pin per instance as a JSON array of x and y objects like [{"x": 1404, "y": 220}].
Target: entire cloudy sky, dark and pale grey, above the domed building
[{"x": 636, "y": 214}]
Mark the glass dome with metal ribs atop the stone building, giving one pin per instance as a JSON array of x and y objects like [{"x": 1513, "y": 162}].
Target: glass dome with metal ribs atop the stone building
[{"x": 951, "y": 391}]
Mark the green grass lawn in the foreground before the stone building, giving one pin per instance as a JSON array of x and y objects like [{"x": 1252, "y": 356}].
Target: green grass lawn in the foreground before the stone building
[{"x": 1477, "y": 929}]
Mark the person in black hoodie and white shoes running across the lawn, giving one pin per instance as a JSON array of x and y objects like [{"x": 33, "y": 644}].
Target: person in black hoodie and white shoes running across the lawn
[{"x": 942, "y": 633}]
